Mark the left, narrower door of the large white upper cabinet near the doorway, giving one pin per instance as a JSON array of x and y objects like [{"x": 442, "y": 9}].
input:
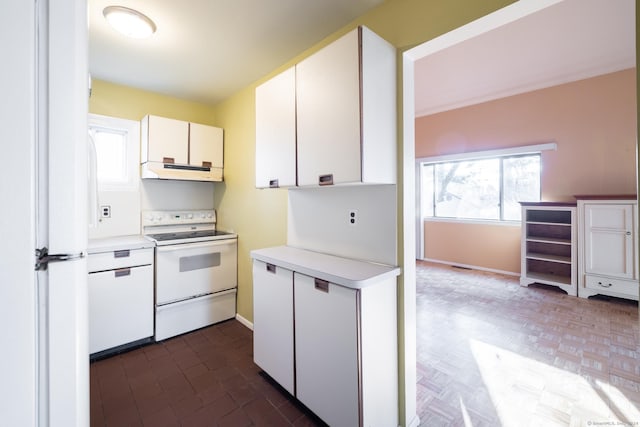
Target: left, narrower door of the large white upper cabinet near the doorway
[{"x": 276, "y": 131}]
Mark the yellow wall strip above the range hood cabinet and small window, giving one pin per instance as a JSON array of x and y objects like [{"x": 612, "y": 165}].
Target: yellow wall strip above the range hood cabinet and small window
[{"x": 125, "y": 102}]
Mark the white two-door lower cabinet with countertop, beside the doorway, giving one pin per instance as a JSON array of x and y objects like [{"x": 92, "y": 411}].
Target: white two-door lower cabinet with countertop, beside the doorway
[{"x": 331, "y": 345}]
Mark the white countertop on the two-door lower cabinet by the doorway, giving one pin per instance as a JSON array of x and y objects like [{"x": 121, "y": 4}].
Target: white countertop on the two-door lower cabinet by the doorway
[{"x": 341, "y": 271}]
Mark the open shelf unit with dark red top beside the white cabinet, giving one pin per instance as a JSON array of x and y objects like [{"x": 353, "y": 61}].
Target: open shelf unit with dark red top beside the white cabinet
[{"x": 548, "y": 248}]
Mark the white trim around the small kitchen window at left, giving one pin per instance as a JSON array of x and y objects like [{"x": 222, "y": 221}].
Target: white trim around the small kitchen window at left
[{"x": 132, "y": 129}]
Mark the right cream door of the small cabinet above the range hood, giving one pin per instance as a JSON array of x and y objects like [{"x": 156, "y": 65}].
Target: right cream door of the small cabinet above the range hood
[{"x": 205, "y": 146}]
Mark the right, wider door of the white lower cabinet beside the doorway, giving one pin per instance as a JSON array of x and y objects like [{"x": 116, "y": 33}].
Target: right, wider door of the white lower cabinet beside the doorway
[{"x": 327, "y": 348}]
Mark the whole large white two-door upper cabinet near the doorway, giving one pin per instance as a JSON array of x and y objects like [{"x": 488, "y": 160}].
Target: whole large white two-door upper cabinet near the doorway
[{"x": 331, "y": 118}]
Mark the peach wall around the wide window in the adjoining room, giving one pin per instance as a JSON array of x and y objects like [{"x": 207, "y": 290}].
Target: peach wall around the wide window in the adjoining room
[{"x": 593, "y": 121}]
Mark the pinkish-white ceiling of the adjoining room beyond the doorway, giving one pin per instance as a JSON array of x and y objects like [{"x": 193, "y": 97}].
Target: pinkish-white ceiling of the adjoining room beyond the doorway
[{"x": 571, "y": 40}]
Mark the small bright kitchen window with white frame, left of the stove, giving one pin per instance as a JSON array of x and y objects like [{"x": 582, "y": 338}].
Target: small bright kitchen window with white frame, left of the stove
[{"x": 116, "y": 143}]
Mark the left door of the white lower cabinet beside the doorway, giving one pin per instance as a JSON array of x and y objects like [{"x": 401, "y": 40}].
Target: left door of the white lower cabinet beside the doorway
[{"x": 273, "y": 322}]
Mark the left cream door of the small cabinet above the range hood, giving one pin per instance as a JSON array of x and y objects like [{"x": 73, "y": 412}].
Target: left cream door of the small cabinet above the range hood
[{"x": 164, "y": 140}]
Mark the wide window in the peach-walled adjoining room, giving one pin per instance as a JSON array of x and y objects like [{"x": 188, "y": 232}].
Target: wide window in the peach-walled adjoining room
[{"x": 481, "y": 186}]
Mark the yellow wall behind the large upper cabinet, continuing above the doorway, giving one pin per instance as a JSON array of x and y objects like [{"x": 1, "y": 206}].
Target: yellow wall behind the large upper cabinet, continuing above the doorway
[{"x": 260, "y": 216}]
